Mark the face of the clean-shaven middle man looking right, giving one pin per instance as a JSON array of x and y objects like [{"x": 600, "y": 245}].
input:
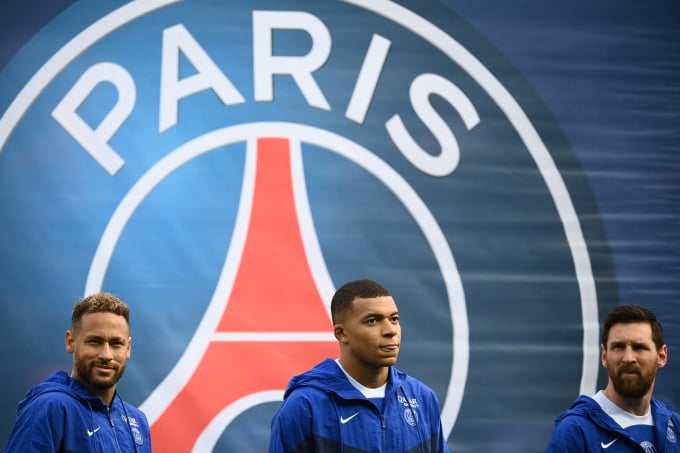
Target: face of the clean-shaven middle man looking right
[{"x": 372, "y": 333}]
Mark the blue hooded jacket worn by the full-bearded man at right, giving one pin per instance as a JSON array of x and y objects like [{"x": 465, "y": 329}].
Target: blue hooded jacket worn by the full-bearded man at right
[{"x": 585, "y": 428}]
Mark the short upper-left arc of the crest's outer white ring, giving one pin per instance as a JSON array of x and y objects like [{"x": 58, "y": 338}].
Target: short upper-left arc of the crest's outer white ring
[{"x": 69, "y": 52}]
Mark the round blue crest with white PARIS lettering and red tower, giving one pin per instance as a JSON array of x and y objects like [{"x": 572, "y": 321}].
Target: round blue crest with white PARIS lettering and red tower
[{"x": 224, "y": 166}]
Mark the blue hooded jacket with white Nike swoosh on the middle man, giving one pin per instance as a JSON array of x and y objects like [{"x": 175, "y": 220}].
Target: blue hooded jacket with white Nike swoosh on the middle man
[{"x": 323, "y": 412}]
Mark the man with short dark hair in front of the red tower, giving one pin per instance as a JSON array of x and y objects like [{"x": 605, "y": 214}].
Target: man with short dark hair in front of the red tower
[{"x": 359, "y": 402}]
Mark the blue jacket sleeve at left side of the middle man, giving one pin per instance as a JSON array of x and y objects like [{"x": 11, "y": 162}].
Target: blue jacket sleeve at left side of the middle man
[{"x": 291, "y": 427}]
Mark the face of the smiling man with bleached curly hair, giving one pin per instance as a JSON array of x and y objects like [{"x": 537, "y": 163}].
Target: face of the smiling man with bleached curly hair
[{"x": 100, "y": 348}]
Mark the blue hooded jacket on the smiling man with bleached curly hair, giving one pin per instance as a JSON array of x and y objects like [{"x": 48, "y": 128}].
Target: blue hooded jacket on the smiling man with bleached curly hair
[{"x": 60, "y": 415}]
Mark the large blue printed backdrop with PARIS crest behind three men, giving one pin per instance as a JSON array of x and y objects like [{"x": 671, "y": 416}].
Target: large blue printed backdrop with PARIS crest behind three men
[{"x": 508, "y": 171}]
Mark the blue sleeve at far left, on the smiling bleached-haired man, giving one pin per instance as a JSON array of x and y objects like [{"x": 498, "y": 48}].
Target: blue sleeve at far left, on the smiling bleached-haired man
[{"x": 39, "y": 428}]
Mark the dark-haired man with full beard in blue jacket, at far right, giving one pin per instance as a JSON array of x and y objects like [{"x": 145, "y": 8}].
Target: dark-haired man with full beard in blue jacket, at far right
[{"x": 624, "y": 417}]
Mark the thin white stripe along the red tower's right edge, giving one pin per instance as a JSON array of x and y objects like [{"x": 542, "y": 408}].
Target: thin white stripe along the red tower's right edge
[{"x": 317, "y": 264}]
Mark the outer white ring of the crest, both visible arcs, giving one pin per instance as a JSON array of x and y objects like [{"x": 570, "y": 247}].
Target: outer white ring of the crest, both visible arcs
[{"x": 486, "y": 80}]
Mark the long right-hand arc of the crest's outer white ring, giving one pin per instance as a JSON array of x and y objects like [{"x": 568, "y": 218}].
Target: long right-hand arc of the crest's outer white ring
[{"x": 558, "y": 190}]
